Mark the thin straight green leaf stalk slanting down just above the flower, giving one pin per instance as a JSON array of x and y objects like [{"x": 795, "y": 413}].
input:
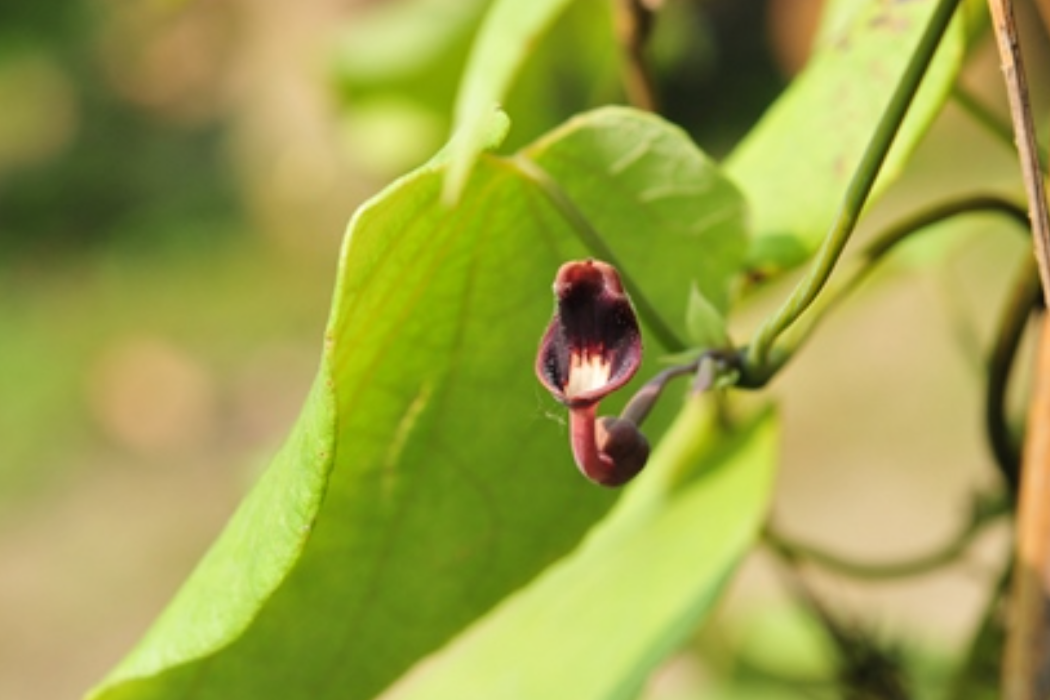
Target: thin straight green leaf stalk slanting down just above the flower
[{"x": 596, "y": 244}]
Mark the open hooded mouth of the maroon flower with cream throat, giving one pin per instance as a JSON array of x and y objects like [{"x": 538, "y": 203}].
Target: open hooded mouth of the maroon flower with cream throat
[{"x": 593, "y": 346}]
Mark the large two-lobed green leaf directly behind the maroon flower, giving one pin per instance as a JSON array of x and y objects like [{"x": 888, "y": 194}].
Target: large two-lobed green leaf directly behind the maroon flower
[{"x": 426, "y": 481}]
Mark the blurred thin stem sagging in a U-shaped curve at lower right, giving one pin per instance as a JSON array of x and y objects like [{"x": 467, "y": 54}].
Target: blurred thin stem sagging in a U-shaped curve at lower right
[{"x": 984, "y": 512}]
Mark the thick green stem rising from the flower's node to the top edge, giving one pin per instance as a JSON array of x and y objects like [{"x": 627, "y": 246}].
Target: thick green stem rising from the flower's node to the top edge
[{"x": 757, "y": 370}]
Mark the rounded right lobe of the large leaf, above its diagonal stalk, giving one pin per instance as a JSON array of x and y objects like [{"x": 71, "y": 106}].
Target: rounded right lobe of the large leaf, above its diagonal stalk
[{"x": 655, "y": 200}]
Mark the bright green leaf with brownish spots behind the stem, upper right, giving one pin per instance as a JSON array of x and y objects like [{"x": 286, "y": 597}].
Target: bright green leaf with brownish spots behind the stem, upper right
[{"x": 795, "y": 165}]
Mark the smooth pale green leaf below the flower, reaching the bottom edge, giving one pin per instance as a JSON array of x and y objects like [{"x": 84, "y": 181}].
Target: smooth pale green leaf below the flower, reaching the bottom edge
[{"x": 596, "y": 626}]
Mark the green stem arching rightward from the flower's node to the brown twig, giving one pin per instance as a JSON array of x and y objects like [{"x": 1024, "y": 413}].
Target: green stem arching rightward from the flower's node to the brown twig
[{"x": 874, "y": 254}]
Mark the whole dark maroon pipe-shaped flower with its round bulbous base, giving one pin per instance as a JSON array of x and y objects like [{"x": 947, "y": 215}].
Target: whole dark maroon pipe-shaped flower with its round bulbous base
[{"x": 593, "y": 348}]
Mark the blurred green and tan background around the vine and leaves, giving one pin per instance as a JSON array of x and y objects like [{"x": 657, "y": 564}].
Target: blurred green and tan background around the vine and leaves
[{"x": 175, "y": 180}]
